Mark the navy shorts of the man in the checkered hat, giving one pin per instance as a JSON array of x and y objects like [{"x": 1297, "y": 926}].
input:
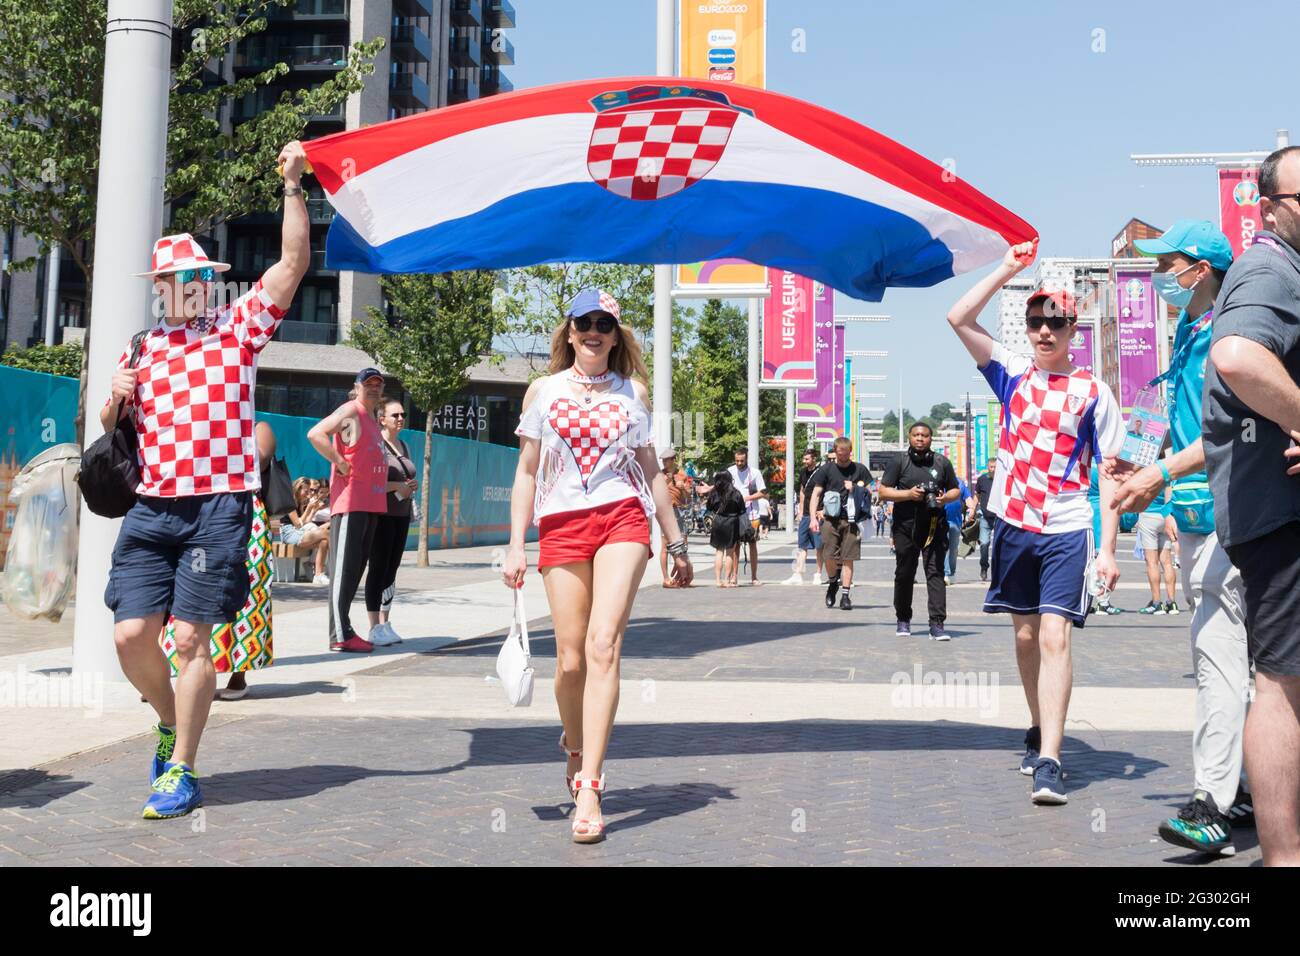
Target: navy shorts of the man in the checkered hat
[{"x": 185, "y": 556}]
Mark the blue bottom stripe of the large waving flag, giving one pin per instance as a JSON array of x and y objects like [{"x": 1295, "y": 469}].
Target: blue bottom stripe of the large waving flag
[{"x": 835, "y": 236}]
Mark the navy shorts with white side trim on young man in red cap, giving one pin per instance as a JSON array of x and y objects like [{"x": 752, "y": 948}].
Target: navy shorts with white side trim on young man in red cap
[{"x": 1039, "y": 574}]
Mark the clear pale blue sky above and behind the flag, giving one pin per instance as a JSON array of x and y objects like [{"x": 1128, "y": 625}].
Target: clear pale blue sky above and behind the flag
[{"x": 1015, "y": 94}]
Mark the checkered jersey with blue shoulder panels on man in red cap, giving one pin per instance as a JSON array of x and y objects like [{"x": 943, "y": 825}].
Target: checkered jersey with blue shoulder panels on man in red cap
[{"x": 1054, "y": 426}]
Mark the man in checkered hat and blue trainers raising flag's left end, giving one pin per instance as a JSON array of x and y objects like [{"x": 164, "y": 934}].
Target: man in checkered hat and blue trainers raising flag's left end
[{"x": 183, "y": 547}]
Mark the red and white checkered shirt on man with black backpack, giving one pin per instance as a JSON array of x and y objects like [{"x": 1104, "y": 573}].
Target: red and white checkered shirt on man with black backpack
[{"x": 193, "y": 405}]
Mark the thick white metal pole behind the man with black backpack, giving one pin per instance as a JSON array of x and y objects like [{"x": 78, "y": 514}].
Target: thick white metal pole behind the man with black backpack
[{"x": 129, "y": 217}]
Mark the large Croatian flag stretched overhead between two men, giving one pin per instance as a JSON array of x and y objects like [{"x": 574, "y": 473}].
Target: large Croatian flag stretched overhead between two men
[{"x": 652, "y": 170}]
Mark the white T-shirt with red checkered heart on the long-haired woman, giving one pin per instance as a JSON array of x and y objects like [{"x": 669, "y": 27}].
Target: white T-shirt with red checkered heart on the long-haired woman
[{"x": 588, "y": 449}]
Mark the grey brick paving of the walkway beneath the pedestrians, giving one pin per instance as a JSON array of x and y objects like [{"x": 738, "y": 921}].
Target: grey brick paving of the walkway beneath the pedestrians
[{"x": 430, "y": 791}]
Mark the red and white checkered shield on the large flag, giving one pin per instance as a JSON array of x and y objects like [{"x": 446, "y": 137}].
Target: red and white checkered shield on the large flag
[{"x": 651, "y": 154}]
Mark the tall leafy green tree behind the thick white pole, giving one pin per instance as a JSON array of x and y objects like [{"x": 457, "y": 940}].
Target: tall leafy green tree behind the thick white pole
[{"x": 51, "y": 96}]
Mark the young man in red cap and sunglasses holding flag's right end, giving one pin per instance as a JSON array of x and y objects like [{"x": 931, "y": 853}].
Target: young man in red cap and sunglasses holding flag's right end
[{"x": 1056, "y": 421}]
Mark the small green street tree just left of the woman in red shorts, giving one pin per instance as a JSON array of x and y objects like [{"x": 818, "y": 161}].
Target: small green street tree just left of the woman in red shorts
[{"x": 444, "y": 325}]
